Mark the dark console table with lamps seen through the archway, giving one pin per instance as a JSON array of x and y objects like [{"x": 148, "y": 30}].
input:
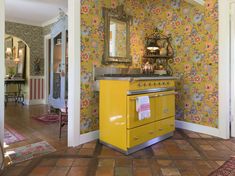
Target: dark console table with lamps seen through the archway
[{"x": 18, "y": 96}]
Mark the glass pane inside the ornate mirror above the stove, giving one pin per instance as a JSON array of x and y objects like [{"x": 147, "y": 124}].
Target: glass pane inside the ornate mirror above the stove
[{"x": 117, "y": 38}]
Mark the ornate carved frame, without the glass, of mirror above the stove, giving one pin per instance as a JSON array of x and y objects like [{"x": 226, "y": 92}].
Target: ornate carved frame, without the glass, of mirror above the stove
[{"x": 118, "y": 14}]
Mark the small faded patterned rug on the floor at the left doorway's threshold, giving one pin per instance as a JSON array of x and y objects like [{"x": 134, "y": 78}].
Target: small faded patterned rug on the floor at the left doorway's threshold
[{"x": 30, "y": 151}]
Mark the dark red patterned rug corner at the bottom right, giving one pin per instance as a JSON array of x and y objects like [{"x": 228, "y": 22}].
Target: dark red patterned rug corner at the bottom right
[{"x": 227, "y": 169}]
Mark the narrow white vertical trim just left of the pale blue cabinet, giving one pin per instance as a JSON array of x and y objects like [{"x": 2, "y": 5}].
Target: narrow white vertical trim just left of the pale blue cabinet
[{"x": 46, "y": 64}]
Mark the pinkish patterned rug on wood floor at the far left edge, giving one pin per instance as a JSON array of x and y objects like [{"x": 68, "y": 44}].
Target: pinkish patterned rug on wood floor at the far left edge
[{"x": 12, "y": 136}]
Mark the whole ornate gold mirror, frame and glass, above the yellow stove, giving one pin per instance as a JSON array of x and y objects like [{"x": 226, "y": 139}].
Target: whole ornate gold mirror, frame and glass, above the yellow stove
[{"x": 117, "y": 36}]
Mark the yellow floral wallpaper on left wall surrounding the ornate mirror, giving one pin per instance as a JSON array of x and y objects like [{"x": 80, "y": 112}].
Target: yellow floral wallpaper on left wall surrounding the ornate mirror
[{"x": 92, "y": 34}]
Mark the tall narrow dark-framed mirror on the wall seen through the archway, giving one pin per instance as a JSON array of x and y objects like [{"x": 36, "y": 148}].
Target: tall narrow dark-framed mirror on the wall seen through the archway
[{"x": 21, "y": 65}]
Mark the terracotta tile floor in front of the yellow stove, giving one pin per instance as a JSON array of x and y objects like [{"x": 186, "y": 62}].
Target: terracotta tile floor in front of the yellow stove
[{"x": 185, "y": 154}]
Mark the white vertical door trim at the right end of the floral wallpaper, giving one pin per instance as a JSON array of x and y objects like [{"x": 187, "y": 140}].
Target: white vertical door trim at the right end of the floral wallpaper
[{"x": 224, "y": 69}]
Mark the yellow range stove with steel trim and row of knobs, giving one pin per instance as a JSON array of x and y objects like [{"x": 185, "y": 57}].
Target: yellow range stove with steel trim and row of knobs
[{"x": 120, "y": 127}]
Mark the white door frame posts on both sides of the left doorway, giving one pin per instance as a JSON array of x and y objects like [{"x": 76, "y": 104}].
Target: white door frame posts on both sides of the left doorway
[{"x": 73, "y": 74}]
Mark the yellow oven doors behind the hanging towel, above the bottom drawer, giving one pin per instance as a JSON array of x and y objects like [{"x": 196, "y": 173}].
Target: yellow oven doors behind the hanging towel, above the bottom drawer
[{"x": 162, "y": 105}]
